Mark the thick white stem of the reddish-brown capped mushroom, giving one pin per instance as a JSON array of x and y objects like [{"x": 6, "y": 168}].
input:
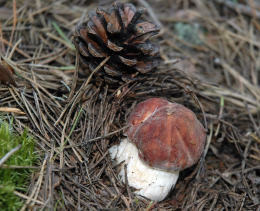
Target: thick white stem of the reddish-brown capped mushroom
[{"x": 151, "y": 183}]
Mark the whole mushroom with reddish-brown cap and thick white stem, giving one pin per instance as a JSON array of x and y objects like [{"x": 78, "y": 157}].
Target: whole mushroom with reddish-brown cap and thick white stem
[{"x": 163, "y": 138}]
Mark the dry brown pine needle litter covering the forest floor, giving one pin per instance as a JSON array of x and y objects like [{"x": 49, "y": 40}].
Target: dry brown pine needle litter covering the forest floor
[{"x": 75, "y": 123}]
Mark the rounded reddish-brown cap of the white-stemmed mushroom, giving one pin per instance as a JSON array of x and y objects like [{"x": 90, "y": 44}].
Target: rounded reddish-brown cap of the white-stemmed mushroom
[{"x": 167, "y": 135}]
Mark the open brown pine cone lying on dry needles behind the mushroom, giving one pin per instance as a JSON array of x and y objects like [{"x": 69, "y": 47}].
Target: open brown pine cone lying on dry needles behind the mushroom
[{"x": 119, "y": 33}]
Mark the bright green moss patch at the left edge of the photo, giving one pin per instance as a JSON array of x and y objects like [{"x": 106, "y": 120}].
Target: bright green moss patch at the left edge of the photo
[{"x": 14, "y": 179}]
